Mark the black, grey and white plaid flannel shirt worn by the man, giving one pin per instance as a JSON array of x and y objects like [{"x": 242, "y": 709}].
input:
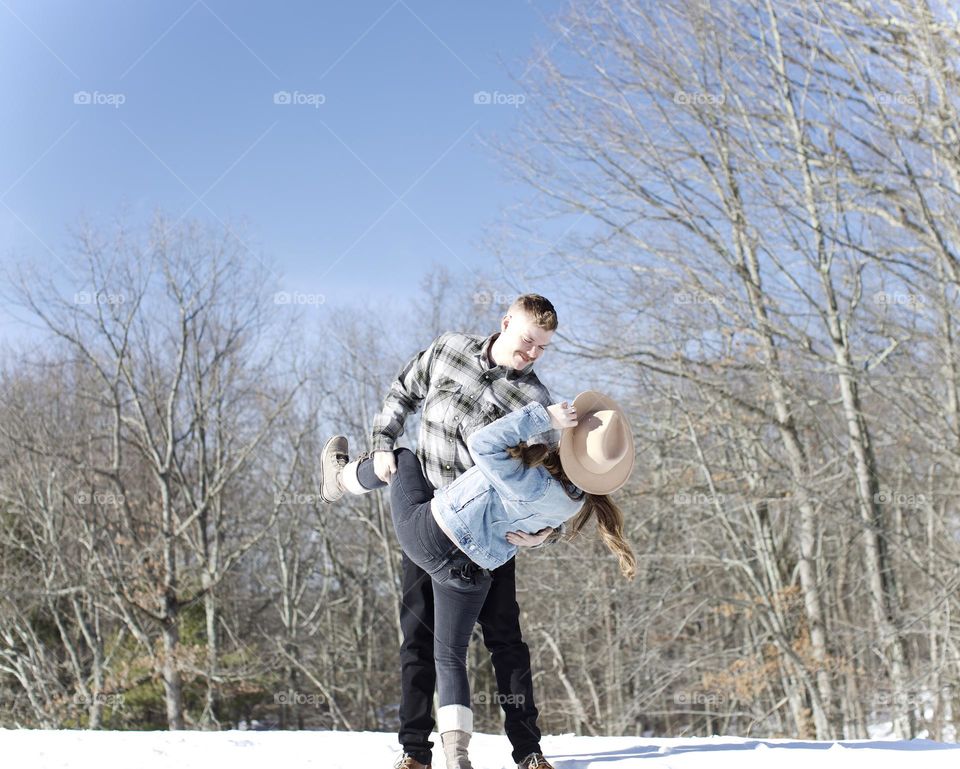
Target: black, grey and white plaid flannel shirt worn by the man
[{"x": 460, "y": 392}]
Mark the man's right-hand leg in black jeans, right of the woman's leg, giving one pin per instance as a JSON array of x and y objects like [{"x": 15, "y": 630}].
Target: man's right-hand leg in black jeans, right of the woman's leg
[{"x": 500, "y": 621}]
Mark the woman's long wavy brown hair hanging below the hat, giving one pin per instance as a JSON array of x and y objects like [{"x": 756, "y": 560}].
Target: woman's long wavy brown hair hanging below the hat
[{"x": 609, "y": 516}]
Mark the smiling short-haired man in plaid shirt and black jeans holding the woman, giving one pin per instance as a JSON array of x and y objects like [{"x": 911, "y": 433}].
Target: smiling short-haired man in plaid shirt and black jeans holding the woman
[{"x": 463, "y": 382}]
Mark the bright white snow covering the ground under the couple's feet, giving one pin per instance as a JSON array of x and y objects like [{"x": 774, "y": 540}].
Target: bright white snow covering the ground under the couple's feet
[{"x": 373, "y": 750}]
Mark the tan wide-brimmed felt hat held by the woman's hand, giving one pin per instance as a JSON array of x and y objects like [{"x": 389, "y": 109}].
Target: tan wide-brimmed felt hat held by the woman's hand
[{"x": 597, "y": 454}]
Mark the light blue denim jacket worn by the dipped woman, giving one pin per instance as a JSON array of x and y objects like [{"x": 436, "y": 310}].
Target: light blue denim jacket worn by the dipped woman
[{"x": 500, "y": 494}]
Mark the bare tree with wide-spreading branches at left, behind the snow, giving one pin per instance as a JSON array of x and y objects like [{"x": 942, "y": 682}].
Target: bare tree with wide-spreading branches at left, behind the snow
[{"x": 175, "y": 338}]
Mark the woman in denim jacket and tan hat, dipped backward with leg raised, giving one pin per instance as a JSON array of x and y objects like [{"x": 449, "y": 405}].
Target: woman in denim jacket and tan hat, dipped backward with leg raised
[{"x": 460, "y": 532}]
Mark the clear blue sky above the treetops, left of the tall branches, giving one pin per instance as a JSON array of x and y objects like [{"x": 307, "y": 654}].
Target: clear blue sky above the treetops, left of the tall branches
[{"x": 182, "y": 103}]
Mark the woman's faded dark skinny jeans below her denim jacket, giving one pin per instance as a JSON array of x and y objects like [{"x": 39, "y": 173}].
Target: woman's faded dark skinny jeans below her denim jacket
[{"x": 459, "y": 586}]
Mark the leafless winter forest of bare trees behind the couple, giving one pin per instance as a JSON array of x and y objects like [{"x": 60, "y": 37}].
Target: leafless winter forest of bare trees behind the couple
[{"x": 748, "y": 216}]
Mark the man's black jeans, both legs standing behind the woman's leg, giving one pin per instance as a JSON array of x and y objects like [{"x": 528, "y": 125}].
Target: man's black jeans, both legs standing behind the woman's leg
[{"x": 499, "y": 621}]
